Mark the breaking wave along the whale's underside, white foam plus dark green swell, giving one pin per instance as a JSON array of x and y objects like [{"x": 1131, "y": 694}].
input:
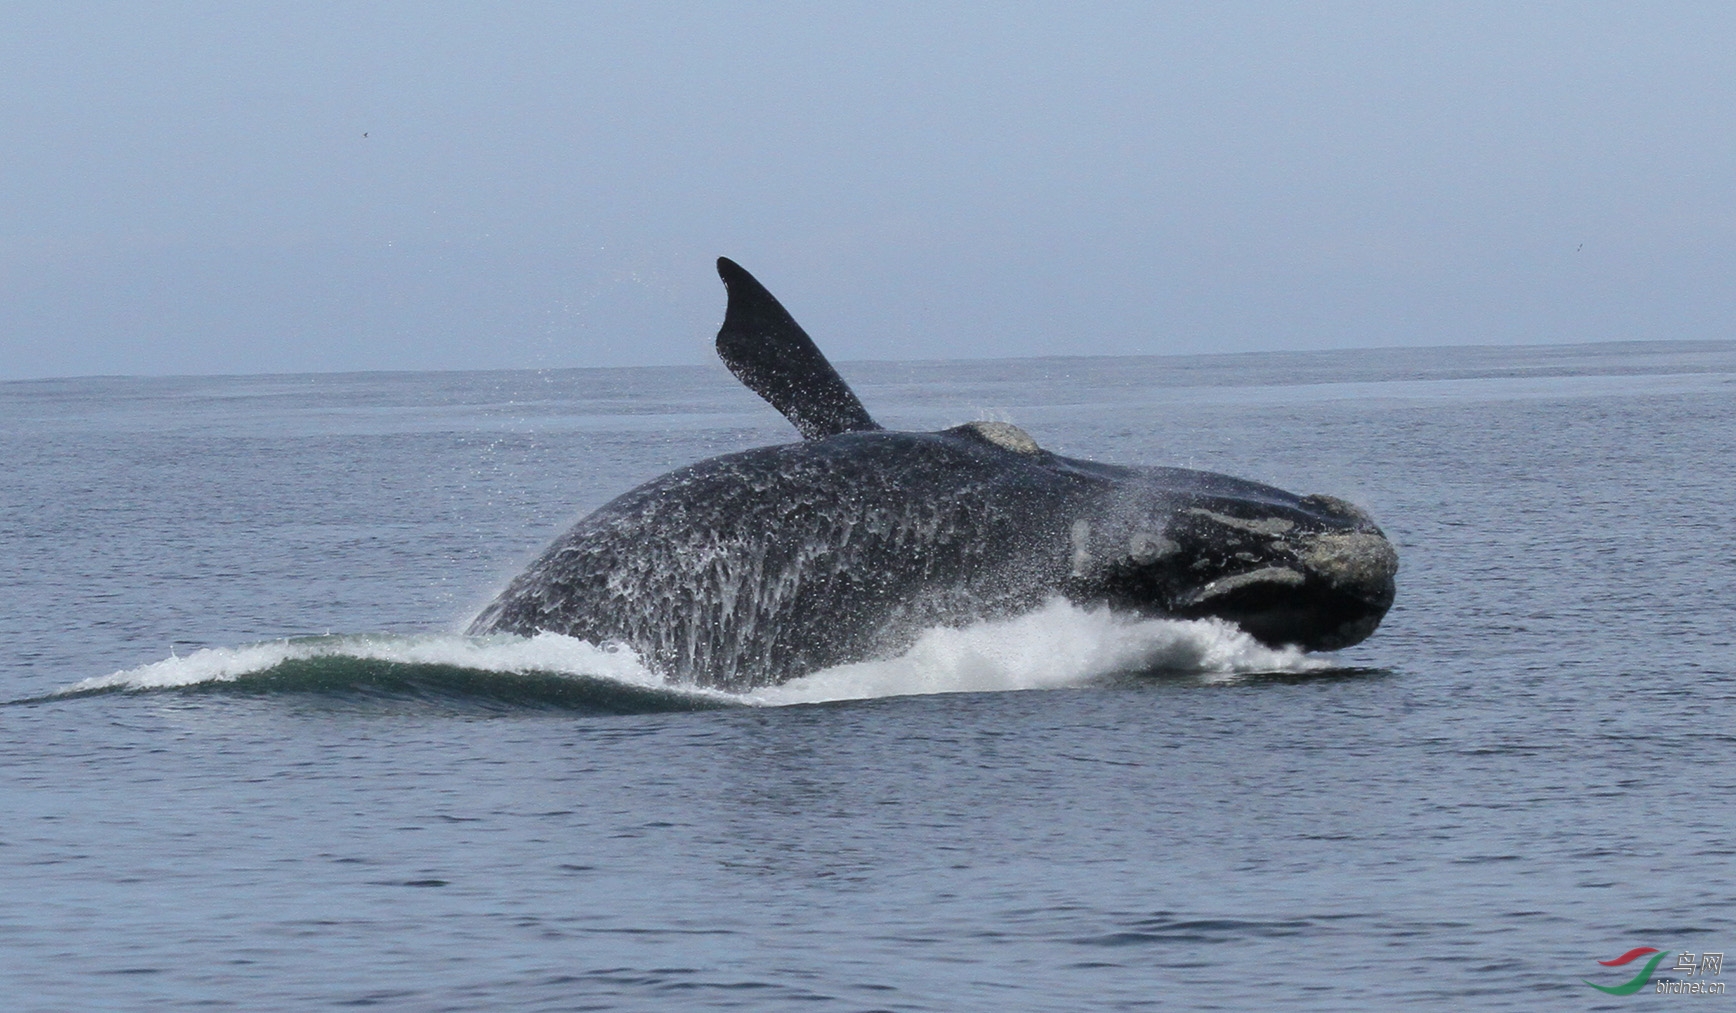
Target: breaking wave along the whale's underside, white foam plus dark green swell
[{"x": 1056, "y": 646}]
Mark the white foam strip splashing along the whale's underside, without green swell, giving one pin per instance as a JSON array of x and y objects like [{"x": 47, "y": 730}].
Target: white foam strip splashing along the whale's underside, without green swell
[{"x": 1055, "y": 646}]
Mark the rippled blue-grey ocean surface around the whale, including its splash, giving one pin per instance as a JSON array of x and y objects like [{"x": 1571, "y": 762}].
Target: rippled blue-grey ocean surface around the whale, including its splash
[{"x": 251, "y": 764}]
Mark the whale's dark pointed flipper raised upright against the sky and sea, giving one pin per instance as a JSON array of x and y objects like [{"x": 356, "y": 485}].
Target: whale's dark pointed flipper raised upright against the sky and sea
[{"x": 775, "y": 358}]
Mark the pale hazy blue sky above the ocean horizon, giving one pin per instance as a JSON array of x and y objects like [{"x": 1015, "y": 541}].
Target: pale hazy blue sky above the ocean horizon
[{"x": 280, "y": 188}]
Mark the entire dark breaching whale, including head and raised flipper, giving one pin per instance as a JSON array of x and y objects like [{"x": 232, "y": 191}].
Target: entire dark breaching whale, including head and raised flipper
[{"x": 768, "y": 565}]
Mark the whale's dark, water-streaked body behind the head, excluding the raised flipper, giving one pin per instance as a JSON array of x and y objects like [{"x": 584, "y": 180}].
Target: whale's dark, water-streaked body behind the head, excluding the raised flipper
[{"x": 768, "y": 565}]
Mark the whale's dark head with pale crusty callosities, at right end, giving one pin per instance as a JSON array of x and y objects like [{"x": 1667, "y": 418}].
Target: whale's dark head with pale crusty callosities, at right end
[{"x": 1308, "y": 572}]
